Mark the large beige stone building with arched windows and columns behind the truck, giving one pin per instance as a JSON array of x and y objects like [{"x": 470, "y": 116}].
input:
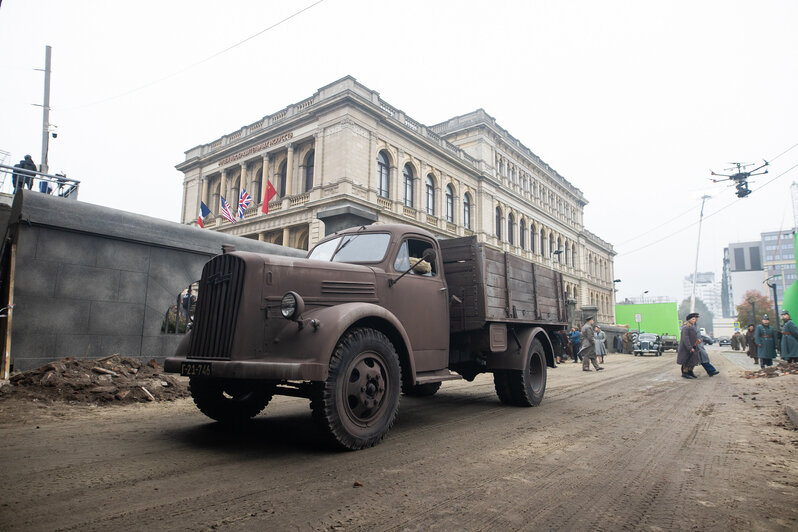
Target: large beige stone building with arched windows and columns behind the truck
[{"x": 344, "y": 157}]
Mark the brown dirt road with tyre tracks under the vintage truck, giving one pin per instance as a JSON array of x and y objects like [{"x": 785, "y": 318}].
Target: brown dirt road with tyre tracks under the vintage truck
[{"x": 634, "y": 447}]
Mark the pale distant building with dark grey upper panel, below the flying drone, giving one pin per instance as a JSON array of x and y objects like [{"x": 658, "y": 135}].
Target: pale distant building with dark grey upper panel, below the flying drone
[{"x": 743, "y": 272}]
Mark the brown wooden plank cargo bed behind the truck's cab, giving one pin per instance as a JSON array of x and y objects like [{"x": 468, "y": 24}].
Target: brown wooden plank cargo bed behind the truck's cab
[{"x": 495, "y": 286}]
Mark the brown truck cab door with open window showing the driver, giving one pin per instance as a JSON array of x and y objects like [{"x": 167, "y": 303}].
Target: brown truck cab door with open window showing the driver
[{"x": 420, "y": 300}]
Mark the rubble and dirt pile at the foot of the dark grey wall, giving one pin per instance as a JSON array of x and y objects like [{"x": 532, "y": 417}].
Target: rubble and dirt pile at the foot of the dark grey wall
[{"x": 110, "y": 380}]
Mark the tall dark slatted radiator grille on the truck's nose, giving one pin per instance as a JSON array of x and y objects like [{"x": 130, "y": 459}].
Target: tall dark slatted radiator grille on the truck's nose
[{"x": 217, "y": 308}]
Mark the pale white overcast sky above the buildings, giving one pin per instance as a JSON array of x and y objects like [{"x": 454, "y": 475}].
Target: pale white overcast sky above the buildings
[{"x": 633, "y": 102}]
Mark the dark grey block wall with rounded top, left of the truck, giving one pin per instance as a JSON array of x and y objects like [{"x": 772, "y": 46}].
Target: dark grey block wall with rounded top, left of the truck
[{"x": 90, "y": 281}]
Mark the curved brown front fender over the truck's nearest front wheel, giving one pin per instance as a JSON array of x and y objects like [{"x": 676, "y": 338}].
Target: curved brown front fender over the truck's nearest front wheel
[{"x": 323, "y": 327}]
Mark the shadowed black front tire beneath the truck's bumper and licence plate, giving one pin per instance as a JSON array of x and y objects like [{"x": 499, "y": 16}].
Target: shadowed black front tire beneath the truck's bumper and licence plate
[{"x": 229, "y": 401}]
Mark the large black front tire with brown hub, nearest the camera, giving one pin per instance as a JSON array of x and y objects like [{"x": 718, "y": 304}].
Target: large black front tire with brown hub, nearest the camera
[{"x": 358, "y": 402}]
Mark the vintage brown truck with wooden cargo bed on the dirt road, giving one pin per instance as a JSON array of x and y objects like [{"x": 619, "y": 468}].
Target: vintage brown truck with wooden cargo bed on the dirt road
[{"x": 371, "y": 313}]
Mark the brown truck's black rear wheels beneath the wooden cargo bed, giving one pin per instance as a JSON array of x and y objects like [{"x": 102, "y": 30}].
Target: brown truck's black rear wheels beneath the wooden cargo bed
[{"x": 523, "y": 387}]
